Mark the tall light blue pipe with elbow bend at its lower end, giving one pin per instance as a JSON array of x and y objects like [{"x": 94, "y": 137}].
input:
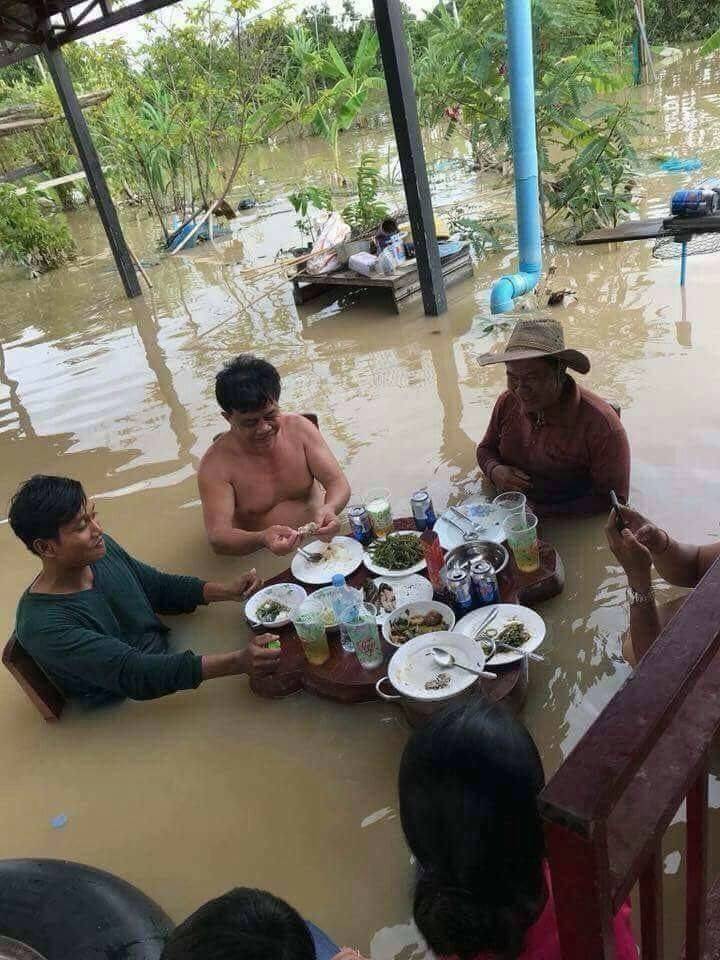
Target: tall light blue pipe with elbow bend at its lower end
[{"x": 518, "y": 18}]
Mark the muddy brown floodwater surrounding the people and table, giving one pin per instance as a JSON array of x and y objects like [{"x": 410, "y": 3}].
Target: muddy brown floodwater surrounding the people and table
[{"x": 201, "y": 791}]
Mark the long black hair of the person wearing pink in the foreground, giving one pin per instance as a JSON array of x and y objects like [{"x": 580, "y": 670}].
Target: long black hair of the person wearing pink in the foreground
[{"x": 469, "y": 781}]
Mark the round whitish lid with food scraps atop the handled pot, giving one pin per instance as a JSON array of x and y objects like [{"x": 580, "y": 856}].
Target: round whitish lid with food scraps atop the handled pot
[{"x": 412, "y": 667}]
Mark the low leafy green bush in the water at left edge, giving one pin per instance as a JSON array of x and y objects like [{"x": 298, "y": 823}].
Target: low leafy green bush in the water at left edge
[{"x": 31, "y": 235}]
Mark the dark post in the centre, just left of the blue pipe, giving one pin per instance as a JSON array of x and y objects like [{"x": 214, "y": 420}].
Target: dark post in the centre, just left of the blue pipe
[{"x": 403, "y": 107}]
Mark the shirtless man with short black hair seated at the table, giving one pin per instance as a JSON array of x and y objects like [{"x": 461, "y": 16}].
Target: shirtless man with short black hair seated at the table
[{"x": 271, "y": 473}]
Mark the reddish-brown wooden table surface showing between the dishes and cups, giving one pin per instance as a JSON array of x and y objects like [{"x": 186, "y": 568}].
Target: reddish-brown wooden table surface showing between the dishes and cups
[{"x": 341, "y": 677}]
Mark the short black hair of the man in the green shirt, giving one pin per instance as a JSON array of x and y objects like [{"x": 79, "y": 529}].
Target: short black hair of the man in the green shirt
[{"x": 42, "y": 505}]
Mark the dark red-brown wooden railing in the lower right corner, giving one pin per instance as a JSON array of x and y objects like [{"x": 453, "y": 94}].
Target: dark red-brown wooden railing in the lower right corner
[{"x": 608, "y": 806}]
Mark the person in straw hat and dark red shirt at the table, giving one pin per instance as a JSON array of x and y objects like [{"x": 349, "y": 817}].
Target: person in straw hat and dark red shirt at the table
[{"x": 555, "y": 441}]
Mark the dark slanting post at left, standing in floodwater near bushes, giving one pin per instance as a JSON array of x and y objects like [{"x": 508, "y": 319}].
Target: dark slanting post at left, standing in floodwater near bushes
[{"x": 91, "y": 164}]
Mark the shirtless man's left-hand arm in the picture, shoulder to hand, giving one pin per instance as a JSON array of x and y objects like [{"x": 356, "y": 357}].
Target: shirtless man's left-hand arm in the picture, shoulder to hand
[{"x": 218, "y": 502}]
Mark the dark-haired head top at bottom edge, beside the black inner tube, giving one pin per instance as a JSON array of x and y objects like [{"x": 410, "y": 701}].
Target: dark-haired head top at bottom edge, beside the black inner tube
[{"x": 243, "y": 924}]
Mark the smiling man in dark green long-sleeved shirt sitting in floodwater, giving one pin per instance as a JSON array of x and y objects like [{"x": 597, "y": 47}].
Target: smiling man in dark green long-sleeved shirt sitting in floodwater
[{"x": 90, "y": 617}]
